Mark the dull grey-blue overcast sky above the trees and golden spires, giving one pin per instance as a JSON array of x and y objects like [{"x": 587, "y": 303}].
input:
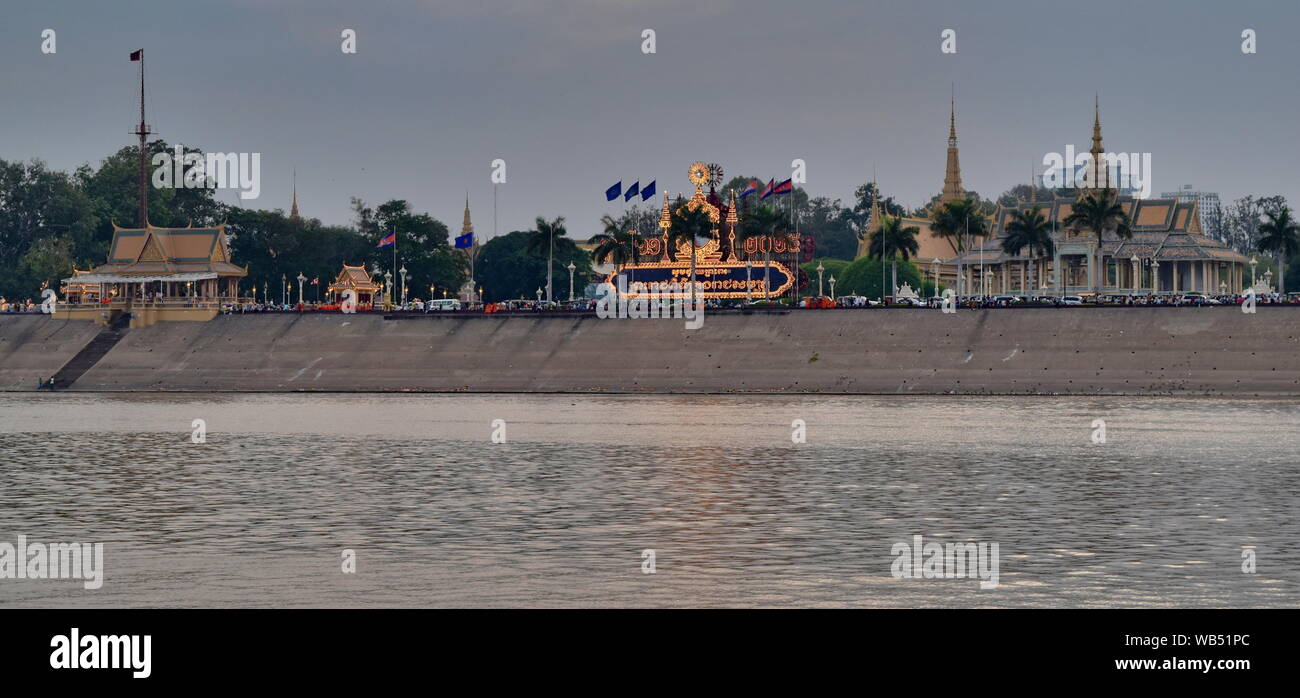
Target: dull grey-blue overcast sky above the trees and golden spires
[{"x": 562, "y": 92}]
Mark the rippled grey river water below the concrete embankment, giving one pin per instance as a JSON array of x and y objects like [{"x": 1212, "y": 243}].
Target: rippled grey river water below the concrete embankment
[{"x": 1165, "y": 513}]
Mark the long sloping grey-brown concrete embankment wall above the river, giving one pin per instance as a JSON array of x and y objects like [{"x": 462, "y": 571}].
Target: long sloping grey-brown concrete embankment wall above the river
[{"x": 1188, "y": 352}]
